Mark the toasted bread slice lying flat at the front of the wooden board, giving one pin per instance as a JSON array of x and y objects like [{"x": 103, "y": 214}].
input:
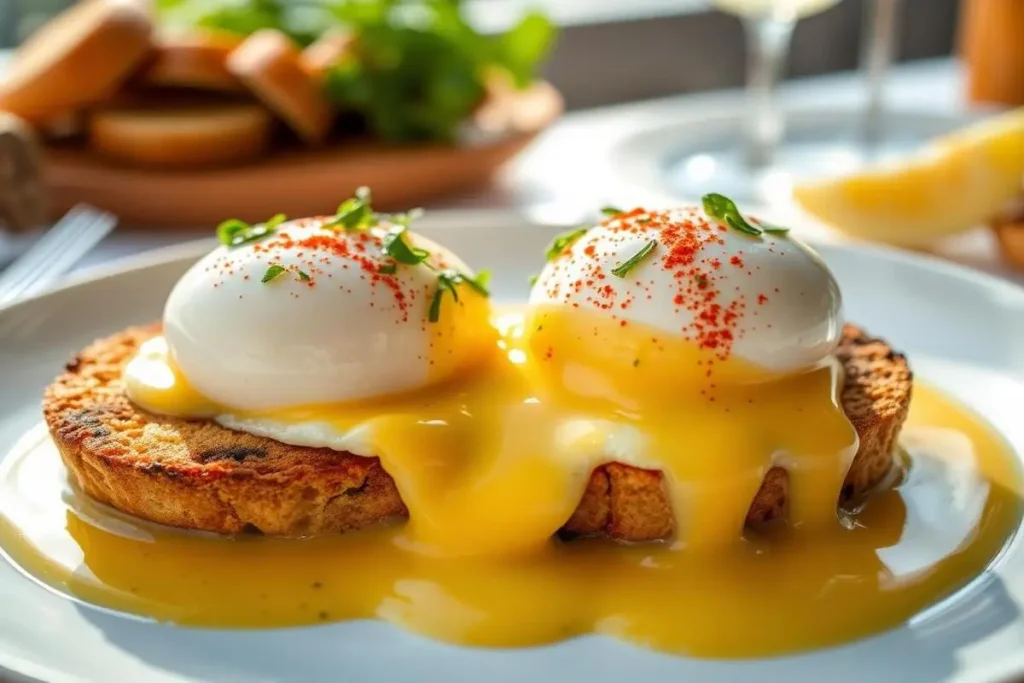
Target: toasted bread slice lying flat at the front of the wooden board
[{"x": 188, "y": 136}]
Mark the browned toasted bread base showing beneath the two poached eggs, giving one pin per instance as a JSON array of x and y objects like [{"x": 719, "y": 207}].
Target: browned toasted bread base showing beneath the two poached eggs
[{"x": 197, "y": 475}]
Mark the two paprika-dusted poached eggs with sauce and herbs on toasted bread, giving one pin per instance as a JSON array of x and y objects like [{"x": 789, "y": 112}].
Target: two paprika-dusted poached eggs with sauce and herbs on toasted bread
[{"x": 676, "y": 375}]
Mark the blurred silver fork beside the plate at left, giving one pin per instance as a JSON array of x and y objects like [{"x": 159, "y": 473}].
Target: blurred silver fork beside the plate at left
[{"x": 60, "y": 248}]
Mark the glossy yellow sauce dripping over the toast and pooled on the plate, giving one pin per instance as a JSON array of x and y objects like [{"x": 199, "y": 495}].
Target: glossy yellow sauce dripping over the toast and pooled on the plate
[{"x": 492, "y": 465}]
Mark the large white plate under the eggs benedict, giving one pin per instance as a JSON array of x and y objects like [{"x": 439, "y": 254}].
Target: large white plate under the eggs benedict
[{"x": 962, "y": 330}]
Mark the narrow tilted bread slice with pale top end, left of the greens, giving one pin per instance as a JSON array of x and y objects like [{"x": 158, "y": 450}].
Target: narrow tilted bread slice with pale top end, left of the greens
[{"x": 271, "y": 65}]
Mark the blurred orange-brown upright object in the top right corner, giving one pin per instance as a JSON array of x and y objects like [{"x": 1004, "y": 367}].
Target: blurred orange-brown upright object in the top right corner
[{"x": 993, "y": 47}]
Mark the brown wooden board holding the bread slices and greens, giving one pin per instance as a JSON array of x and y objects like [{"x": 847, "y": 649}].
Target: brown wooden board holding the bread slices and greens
[{"x": 296, "y": 183}]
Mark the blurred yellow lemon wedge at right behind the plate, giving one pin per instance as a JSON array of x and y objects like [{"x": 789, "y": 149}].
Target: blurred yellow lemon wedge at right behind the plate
[{"x": 957, "y": 182}]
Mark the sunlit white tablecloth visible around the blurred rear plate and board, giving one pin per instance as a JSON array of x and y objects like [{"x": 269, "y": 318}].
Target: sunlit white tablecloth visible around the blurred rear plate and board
[{"x": 570, "y": 170}]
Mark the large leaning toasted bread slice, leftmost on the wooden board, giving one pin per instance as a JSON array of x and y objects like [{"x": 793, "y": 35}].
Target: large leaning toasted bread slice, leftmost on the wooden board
[{"x": 77, "y": 60}]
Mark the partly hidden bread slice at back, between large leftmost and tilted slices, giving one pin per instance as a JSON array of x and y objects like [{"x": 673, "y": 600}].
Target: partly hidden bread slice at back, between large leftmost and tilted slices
[{"x": 194, "y": 60}]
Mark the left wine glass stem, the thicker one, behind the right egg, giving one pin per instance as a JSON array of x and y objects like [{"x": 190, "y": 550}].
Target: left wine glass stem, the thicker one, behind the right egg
[{"x": 769, "y": 47}]
